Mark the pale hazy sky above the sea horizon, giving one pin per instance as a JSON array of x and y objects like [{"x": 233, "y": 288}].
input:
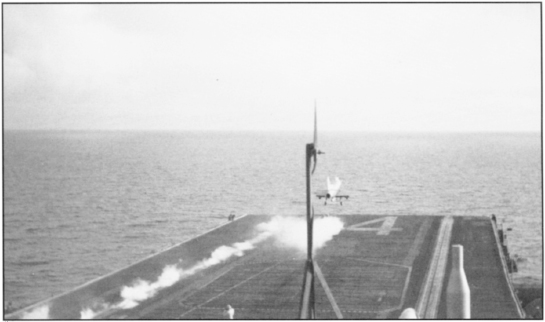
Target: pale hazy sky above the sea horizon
[{"x": 371, "y": 67}]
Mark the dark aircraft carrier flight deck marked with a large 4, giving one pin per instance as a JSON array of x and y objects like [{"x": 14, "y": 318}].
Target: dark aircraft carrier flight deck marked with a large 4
[{"x": 373, "y": 269}]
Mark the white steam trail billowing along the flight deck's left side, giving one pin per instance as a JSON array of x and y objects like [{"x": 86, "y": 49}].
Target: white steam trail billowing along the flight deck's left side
[{"x": 287, "y": 232}]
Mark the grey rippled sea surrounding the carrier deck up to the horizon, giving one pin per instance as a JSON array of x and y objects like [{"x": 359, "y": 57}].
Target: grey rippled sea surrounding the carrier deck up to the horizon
[{"x": 78, "y": 205}]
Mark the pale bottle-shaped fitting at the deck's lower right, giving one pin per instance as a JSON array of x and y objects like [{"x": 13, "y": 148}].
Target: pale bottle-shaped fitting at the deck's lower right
[{"x": 458, "y": 294}]
